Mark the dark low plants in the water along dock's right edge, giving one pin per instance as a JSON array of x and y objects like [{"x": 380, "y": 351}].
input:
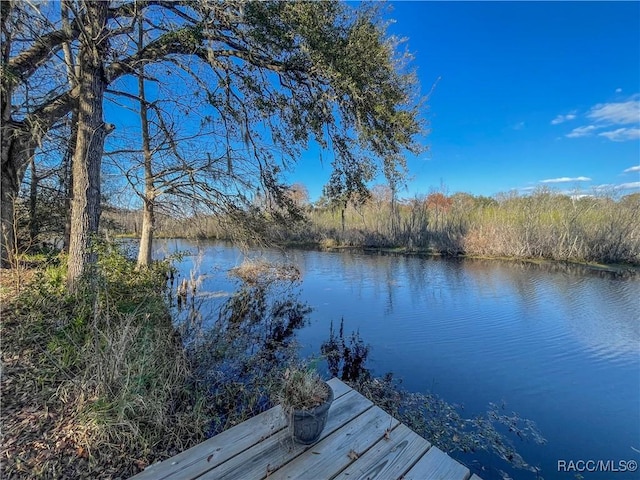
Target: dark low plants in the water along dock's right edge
[{"x": 430, "y": 415}]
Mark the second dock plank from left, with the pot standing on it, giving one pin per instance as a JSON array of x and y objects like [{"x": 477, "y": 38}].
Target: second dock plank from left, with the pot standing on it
[{"x": 279, "y": 449}]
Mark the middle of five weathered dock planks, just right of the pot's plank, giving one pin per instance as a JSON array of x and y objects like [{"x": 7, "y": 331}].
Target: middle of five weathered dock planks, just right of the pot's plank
[{"x": 340, "y": 449}]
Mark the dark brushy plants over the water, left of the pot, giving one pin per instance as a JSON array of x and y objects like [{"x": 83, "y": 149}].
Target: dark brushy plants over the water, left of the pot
[{"x": 241, "y": 358}]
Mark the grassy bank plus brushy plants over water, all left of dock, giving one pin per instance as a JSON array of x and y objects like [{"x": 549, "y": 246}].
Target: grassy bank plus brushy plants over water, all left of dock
[{"x": 102, "y": 383}]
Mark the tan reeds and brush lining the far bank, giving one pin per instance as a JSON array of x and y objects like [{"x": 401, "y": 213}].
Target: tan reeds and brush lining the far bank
[{"x": 544, "y": 225}]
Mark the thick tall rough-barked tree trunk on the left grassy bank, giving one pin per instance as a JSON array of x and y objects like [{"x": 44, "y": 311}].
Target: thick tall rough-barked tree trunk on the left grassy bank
[{"x": 85, "y": 205}]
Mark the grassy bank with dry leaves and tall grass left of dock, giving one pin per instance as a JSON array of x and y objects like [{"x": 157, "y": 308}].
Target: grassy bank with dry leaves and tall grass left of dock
[{"x": 95, "y": 384}]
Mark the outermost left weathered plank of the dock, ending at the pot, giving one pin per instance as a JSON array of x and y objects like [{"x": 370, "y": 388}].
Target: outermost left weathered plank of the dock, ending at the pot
[{"x": 218, "y": 449}]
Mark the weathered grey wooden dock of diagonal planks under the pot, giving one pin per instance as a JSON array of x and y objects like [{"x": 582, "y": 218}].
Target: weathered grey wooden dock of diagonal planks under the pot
[{"x": 360, "y": 441}]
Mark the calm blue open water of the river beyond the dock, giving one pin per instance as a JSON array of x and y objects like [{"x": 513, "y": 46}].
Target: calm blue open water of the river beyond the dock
[{"x": 560, "y": 347}]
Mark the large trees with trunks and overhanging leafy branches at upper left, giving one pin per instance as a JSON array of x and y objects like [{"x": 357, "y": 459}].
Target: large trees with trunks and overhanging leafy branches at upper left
[{"x": 264, "y": 80}]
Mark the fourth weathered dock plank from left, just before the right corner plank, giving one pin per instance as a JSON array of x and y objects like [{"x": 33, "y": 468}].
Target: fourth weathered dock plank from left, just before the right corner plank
[{"x": 388, "y": 459}]
